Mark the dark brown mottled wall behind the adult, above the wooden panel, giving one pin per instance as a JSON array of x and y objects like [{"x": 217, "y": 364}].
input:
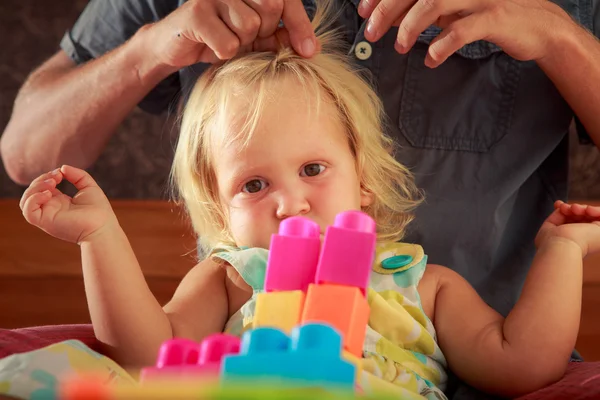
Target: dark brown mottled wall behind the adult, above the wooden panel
[{"x": 138, "y": 158}]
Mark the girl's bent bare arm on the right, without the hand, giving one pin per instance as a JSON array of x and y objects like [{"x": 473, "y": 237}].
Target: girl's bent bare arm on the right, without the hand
[{"x": 528, "y": 349}]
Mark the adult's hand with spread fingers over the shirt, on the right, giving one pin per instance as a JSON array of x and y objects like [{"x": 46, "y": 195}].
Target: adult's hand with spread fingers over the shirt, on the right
[{"x": 524, "y": 29}]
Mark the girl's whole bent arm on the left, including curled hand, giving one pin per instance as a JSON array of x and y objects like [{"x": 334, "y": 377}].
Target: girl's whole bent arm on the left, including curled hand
[{"x": 125, "y": 315}]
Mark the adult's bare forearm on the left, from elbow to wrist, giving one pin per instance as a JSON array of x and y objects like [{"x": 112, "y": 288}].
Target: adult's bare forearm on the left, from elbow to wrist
[{"x": 66, "y": 116}]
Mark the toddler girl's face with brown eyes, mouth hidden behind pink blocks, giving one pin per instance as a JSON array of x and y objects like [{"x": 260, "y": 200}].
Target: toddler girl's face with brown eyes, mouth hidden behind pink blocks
[{"x": 293, "y": 165}]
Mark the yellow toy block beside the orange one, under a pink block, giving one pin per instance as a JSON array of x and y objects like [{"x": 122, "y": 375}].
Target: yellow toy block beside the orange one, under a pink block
[{"x": 279, "y": 310}]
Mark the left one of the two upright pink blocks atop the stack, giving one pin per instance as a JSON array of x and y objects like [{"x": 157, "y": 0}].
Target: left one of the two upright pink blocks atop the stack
[{"x": 293, "y": 255}]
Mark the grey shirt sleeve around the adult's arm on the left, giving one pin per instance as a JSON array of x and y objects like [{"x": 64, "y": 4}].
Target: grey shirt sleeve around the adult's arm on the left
[{"x": 106, "y": 24}]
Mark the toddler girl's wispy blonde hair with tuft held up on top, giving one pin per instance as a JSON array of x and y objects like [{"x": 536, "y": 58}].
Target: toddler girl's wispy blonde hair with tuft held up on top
[{"x": 330, "y": 72}]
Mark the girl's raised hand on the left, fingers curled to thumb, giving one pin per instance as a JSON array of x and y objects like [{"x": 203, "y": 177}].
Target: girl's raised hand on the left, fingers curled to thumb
[{"x": 73, "y": 219}]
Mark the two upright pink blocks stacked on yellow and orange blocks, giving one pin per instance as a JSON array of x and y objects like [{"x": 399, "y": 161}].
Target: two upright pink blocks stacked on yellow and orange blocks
[{"x": 303, "y": 286}]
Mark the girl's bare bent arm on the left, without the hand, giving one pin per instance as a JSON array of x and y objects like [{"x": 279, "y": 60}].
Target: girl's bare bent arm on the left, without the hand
[{"x": 126, "y": 315}]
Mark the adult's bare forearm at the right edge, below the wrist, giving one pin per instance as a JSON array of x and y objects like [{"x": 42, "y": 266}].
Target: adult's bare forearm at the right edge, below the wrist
[{"x": 573, "y": 64}]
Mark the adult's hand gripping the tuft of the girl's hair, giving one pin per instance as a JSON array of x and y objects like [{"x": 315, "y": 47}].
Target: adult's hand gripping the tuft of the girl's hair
[{"x": 213, "y": 30}]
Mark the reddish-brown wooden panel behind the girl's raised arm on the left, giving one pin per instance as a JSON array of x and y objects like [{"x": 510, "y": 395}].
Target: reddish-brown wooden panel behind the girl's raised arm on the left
[{"x": 40, "y": 276}]
